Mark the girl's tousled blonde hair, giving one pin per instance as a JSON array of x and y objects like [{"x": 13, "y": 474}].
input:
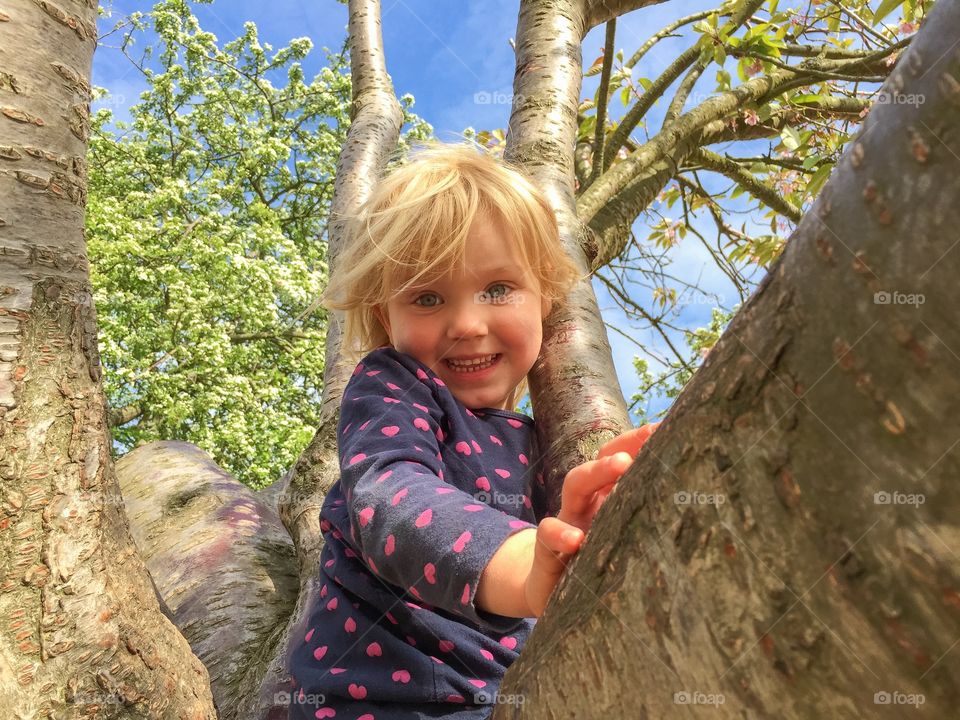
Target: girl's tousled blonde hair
[{"x": 414, "y": 227}]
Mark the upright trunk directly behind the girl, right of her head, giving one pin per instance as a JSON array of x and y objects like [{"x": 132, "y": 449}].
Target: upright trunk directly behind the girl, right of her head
[{"x": 588, "y": 408}]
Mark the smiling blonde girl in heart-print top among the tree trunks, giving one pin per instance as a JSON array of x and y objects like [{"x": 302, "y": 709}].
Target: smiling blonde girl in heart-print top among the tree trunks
[{"x": 436, "y": 558}]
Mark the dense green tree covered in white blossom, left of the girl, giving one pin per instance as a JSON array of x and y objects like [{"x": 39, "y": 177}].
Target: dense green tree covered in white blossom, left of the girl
[{"x": 206, "y": 221}]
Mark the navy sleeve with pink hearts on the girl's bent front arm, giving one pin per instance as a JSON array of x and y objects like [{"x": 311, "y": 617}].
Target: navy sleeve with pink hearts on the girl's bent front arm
[{"x": 413, "y": 526}]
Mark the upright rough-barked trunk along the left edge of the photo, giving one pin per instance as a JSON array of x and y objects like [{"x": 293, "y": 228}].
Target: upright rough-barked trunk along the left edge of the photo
[{"x": 83, "y": 632}]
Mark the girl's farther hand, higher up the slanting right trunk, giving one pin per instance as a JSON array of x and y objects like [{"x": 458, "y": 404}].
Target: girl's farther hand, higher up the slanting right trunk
[{"x": 586, "y": 487}]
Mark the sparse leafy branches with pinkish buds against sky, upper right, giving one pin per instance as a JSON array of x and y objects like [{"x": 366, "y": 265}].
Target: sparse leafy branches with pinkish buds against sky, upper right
[{"x": 771, "y": 160}]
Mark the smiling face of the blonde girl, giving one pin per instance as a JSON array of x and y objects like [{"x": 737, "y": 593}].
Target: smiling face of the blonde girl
[{"x": 493, "y": 311}]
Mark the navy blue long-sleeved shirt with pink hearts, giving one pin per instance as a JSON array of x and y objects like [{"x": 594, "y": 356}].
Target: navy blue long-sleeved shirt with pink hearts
[{"x": 428, "y": 492}]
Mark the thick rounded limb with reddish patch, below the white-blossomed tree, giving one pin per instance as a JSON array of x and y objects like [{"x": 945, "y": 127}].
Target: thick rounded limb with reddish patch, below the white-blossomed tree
[{"x": 220, "y": 559}]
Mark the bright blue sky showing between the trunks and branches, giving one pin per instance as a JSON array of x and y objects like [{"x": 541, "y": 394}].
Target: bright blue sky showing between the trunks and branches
[{"x": 452, "y": 56}]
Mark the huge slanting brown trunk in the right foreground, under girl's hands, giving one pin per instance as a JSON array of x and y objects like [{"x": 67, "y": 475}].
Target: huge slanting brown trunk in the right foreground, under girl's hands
[{"x": 787, "y": 542}]
